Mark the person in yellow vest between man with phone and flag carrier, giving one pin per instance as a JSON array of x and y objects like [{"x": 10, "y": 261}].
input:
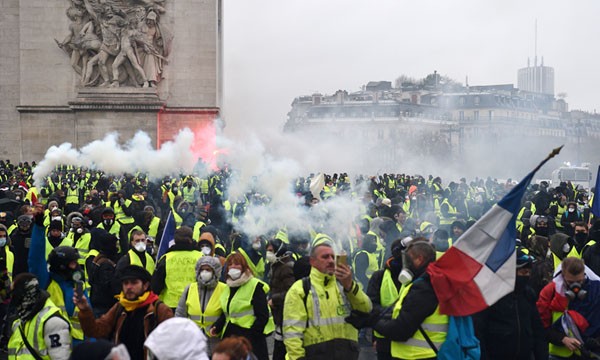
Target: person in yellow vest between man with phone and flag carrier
[{"x": 383, "y": 290}]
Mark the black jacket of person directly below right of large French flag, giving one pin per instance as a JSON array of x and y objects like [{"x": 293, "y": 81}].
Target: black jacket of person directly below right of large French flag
[{"x": 512, "y": 328}]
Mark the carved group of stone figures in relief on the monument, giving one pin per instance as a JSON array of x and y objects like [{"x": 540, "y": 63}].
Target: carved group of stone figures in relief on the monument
[{"x": 117, "y": 42}]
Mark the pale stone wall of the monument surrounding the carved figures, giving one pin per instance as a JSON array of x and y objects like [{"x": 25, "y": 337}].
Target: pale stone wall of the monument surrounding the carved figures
[{"x": 42, "y": 102}]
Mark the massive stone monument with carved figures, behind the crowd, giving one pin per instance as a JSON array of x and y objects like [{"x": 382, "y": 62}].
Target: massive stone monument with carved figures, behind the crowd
[{"x": 75, "y": 70}]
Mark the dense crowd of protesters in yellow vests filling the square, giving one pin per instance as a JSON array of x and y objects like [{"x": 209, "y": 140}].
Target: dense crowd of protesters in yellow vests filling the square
[{"x": 78, "y": 261}]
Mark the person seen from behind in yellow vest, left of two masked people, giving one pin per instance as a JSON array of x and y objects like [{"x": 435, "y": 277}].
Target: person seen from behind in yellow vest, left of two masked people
[{"x": 175, "y": 269}]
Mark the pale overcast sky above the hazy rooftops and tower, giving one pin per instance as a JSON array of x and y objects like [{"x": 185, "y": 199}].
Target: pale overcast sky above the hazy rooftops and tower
[{"x": 275, "y": 50}]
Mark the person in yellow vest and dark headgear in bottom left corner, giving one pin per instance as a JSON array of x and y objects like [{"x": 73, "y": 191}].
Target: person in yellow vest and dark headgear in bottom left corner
[{"x": 39, "y": 332}]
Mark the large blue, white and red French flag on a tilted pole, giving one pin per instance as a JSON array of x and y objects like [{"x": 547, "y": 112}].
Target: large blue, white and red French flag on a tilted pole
[{"x": 480, "y": 268}]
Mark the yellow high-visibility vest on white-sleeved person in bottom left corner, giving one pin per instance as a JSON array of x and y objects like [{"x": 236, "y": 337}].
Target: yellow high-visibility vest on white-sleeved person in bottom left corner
[{"x": 33, "y": 329}]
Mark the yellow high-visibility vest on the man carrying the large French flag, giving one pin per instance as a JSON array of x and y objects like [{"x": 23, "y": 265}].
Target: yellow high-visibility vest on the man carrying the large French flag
[{"x": 435, "y": 326}]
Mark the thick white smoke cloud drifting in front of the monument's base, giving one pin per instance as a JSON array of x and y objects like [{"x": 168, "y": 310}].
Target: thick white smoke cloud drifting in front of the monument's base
[{"x": 137, "y": 154}]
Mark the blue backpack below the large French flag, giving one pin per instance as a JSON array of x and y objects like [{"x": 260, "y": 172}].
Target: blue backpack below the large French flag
[{"x": 461, "y": 342}]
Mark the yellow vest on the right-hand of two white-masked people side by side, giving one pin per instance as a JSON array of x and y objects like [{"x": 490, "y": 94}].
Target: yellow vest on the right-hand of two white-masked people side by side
[{"x": 239, "y": 310}]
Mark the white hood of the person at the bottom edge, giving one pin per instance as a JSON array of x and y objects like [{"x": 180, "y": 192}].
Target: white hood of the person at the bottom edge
[{"x": 177, "y": 339}]
